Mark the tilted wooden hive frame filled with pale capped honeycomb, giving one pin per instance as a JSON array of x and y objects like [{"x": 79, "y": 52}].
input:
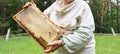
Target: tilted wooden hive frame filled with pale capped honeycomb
[{"x": 38, "y": 25}]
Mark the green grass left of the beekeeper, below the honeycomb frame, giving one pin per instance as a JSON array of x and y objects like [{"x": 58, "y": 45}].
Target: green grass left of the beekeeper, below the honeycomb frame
[{"x": 20, "y": 45}]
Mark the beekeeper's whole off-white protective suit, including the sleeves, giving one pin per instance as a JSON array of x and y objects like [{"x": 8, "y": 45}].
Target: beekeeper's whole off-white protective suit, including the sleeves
[{"x": 77, "y": 19}]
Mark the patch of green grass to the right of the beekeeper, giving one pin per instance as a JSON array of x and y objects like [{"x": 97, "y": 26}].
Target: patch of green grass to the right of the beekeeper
[{"x": 107, "y": 44}]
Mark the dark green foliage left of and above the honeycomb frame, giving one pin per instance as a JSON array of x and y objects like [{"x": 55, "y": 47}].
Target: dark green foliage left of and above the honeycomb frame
[{"x": 12, "y": 7}]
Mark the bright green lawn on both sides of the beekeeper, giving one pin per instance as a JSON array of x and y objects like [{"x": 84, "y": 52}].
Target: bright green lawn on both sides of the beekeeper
[{"x": 22, "y": 44}]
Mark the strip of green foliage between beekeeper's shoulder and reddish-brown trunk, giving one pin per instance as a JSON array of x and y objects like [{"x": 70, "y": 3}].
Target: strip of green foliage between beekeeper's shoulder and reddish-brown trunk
[{"x": 96, "y": 7}]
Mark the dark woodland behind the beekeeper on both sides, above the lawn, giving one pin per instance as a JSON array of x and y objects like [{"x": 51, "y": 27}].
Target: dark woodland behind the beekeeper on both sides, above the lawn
[{"x": 106, "y": 14}]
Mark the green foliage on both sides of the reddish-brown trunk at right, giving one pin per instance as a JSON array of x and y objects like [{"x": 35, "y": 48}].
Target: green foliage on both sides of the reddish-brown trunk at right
[{"x": 109, "y": 18}]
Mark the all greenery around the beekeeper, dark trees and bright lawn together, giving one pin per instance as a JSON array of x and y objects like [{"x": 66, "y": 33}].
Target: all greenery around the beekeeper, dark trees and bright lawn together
[{"x": 106, "y": 15}]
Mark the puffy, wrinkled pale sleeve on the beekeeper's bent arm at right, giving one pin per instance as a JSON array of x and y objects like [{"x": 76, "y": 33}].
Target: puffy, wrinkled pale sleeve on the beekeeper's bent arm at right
[{"x": 80, "y": 37}]
